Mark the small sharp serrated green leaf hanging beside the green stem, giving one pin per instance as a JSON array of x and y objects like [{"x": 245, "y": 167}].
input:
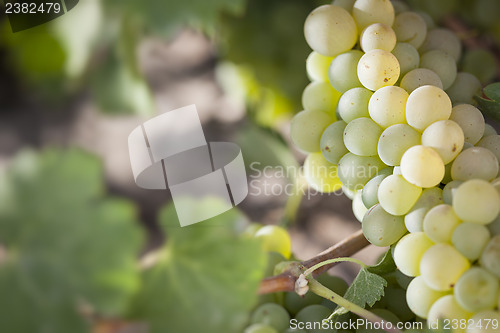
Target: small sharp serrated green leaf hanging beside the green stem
[{"x": 367, "y": 288}]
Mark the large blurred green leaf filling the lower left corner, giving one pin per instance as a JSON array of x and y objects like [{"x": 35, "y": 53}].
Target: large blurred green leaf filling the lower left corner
[{"x": 67, "y": 245}]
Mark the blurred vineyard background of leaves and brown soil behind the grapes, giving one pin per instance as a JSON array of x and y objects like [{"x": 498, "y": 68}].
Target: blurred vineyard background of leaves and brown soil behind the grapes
[{"x": 82, "y": 248}]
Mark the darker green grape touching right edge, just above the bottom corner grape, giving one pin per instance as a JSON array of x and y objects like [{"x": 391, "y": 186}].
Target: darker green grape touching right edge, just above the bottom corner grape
[{"x": 477, "y": 290}]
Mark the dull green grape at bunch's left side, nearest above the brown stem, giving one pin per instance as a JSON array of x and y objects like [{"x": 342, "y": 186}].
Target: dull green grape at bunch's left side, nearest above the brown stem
[{"x": 381, "y": 228}]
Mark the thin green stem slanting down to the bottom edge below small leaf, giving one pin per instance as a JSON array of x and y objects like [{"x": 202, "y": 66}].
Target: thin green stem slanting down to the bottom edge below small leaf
[{"x": 324, "y": 292}]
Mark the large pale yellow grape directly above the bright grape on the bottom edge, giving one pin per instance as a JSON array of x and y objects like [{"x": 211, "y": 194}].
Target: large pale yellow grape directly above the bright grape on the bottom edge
[{"x": 442, "y": 265}]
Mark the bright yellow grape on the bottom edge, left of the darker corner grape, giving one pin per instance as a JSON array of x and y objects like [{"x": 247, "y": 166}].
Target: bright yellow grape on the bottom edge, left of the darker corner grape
[{"x": 447, "y": 307}]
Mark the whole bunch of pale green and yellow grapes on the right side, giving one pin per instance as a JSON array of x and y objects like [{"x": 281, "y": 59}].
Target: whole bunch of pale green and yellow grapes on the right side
[{"x": 390, "y": 120}]
